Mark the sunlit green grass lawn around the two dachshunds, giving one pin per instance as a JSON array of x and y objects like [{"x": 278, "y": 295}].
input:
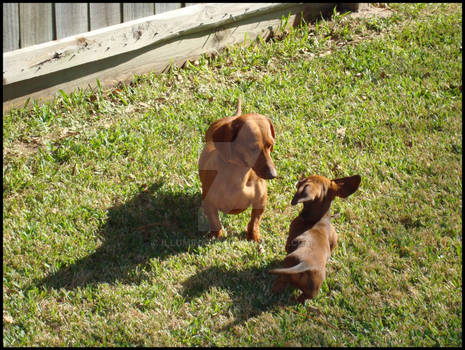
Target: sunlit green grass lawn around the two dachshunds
[{"x": 101, "y": 197}]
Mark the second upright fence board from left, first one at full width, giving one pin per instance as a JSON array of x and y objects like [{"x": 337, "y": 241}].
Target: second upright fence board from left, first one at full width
[{"x": 36, "y": 24}]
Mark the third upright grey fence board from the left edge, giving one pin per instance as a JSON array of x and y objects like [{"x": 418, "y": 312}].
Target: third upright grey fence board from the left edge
[{"x": 70, "y": 19}]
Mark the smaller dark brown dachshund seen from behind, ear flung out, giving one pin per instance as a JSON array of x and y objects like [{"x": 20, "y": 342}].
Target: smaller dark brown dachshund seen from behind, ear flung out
[{"x": 311, "y": 236}]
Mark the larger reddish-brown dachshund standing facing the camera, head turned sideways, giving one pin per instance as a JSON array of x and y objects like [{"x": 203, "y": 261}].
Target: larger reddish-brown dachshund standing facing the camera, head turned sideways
[{"x": 233, "y": 167}]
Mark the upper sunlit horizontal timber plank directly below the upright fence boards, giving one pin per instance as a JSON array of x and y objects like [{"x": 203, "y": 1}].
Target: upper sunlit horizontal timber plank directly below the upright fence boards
[{"x": 102, "y": 43}]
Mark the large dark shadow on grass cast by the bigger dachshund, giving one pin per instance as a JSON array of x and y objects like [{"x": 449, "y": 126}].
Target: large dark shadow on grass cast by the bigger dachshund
[{"x": 154, "y": 224}]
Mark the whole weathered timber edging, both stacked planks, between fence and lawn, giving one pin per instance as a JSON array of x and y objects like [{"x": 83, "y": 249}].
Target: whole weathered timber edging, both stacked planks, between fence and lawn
[{"x": 150, "y": 44}]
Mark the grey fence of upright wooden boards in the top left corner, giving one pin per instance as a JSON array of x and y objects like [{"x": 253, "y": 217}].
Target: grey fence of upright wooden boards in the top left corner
[{"x": 26, "y": 24}]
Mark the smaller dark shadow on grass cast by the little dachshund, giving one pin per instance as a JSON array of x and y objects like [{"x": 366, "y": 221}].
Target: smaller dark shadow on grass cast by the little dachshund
[{"x": 249, "y": 290}]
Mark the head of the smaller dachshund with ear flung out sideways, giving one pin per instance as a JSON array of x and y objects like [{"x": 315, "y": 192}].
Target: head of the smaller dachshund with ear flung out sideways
[{"x": 319, "y": 189}]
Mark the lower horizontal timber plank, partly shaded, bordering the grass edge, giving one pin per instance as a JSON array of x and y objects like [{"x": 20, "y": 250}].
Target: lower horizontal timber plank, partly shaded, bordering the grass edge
[{"x": 154, "y": 58}]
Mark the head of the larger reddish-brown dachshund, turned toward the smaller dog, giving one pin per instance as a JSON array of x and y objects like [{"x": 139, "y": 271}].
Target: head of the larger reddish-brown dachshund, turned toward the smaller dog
[{"x": 247, "y": 141}]
